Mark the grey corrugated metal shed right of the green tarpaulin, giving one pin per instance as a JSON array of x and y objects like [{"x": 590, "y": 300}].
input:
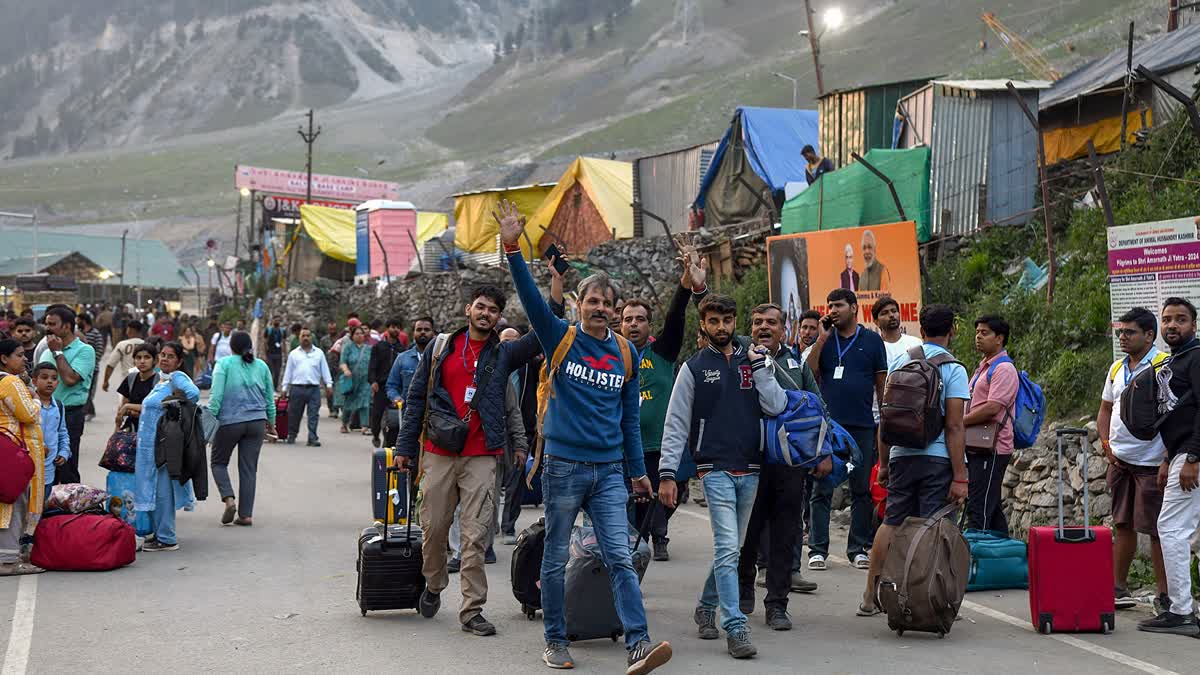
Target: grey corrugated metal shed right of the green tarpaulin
[{"x": 983, "y": 166}]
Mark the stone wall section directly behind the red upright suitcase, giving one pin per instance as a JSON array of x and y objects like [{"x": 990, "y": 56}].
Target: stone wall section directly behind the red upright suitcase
[{"x": 1030, "y": 487}]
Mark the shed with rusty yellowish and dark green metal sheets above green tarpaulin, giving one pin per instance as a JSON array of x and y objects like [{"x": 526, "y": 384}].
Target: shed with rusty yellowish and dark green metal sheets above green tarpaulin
[{"x": 862, "y": 118}]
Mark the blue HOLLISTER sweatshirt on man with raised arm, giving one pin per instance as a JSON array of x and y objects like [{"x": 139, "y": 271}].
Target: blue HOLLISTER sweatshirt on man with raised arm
[{"x": 596, "y": 414}]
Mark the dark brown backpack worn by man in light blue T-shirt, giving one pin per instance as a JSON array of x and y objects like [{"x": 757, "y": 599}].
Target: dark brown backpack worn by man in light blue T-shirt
[{"x": 911, "y": 411}]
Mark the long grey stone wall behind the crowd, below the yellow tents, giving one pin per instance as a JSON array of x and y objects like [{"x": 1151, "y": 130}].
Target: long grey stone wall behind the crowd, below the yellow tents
[{"x": 645, "y": 268}]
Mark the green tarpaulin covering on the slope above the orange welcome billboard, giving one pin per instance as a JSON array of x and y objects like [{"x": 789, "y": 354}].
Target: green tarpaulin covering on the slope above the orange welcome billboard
[{"x": 854, "y": 196}]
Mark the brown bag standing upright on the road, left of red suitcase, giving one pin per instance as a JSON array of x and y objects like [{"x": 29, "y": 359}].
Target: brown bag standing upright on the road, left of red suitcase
[{"x": 926, "y": 575}]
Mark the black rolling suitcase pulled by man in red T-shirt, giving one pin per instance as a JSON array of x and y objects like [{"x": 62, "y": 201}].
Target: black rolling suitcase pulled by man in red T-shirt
[{"x": 389, "y": 568}]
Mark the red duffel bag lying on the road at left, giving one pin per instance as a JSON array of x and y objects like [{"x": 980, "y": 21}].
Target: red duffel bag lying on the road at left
[{"x": 85, "y": 542}]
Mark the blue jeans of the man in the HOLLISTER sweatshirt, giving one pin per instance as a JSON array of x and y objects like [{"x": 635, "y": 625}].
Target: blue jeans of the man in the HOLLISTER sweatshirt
[{"x": 599, "y": 491}]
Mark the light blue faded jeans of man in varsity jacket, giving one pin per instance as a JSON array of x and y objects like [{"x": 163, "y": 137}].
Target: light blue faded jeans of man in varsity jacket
[{"x": 730, "y": 503}]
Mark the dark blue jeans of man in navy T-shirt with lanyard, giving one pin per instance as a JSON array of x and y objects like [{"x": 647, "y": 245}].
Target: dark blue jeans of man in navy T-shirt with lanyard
[{"x": 861, "y": 505}]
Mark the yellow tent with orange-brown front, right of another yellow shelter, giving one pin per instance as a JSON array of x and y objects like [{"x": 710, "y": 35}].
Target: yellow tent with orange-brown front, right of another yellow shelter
[{"x": 592, "y": 204}]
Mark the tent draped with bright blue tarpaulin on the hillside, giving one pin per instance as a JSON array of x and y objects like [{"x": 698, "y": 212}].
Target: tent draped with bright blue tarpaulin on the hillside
[{"x": 763, "y": 148}]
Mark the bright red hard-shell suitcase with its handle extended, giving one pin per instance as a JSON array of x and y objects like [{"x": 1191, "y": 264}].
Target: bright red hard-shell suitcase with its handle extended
[{"x": 1071, "y": 569}]
